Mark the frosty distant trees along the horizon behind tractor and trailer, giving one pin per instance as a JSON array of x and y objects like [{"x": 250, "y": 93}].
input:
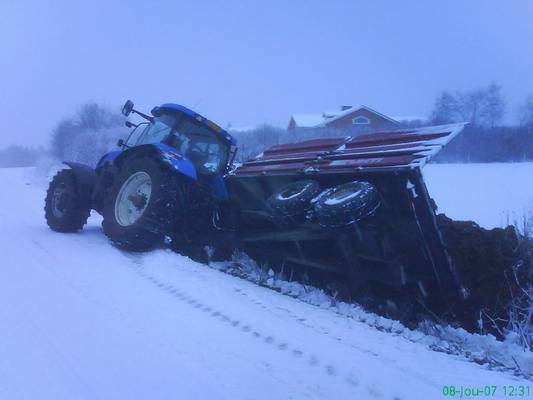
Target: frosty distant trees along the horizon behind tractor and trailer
[{"x": 93, "y": 130}]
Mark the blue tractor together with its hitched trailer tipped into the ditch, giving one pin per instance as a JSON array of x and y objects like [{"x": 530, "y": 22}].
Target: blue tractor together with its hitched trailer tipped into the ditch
[{"x": 356, "y": 208}]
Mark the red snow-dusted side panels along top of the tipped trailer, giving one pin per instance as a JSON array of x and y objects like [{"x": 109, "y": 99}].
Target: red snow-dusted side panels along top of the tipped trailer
[{"x": 378, "y": 151}]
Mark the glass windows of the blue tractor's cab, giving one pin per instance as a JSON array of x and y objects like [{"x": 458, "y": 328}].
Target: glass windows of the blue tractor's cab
[{"x": 193, "y": 140}]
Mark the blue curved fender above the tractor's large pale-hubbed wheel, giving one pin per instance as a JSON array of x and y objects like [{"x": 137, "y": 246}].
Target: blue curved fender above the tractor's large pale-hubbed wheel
[{"x": 165, "y": 153}]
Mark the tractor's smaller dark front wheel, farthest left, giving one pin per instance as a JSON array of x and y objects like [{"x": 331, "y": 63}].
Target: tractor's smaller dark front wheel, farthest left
[{"x": 66, "y": 207}]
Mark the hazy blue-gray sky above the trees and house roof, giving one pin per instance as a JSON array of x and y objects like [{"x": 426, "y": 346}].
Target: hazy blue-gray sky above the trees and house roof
[{"x": 250, "y": 62}]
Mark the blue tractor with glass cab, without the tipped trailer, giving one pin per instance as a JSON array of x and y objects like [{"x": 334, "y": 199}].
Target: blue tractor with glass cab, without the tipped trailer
[{"x": 165, "y": 182}]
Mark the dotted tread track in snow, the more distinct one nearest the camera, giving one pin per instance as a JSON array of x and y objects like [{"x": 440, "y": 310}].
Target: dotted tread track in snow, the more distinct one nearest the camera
[{"x": 329, "y": 369}]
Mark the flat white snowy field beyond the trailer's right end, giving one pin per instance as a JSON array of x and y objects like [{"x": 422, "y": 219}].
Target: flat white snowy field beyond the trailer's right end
[{"x": 493, "y": 195}]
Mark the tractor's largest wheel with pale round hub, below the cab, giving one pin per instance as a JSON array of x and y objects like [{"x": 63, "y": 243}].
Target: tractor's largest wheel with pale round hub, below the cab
[{"x": 140, "y": 205}]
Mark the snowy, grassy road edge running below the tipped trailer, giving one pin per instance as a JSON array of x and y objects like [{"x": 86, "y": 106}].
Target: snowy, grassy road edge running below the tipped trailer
[{"x": 481, "y": 349}]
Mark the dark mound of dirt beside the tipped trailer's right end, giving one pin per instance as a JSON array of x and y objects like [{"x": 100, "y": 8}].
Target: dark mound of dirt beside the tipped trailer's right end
[{"x": 485, "y": 260}]
